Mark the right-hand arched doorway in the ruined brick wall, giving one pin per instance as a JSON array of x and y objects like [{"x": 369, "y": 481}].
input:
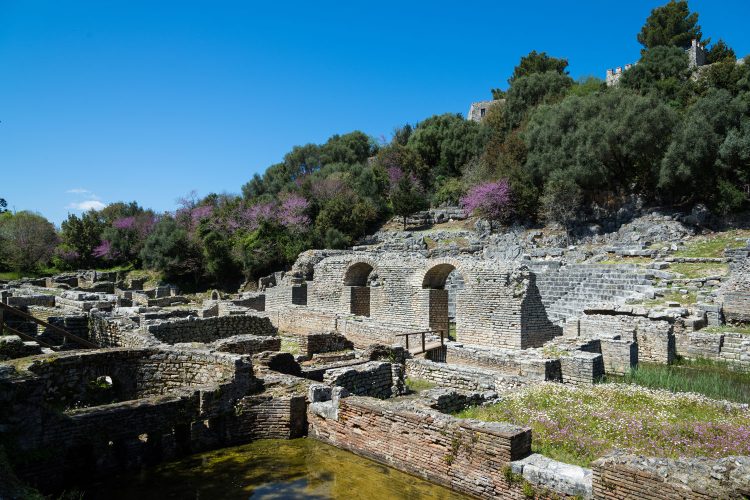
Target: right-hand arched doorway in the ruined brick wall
[{"x": 444, "y": 282}]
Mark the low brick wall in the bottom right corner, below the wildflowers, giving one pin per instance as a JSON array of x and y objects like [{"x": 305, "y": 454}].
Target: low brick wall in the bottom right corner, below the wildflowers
[{"x": 628, "y": 476}]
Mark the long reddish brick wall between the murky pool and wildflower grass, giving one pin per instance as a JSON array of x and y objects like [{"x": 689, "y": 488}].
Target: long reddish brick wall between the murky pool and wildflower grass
[{"x": 466, "y": 456}]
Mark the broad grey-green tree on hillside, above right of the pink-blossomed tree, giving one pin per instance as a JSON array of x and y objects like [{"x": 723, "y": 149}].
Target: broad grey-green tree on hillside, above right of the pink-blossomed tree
[{"x": 612, "y": 142}]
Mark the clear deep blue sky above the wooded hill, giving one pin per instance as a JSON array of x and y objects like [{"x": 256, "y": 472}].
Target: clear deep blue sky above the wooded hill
[{"x": 104, "y": 101}]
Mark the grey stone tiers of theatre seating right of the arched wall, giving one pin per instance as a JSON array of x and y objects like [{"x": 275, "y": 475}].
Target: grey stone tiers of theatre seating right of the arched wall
[{"x": 568, "y": 291}]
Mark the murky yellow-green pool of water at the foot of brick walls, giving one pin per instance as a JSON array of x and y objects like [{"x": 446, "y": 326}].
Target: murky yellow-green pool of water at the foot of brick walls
[{"x": 270, "y": 469}]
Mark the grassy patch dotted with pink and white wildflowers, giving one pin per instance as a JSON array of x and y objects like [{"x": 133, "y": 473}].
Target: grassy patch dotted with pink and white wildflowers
[{"x": 579, "y": 424}]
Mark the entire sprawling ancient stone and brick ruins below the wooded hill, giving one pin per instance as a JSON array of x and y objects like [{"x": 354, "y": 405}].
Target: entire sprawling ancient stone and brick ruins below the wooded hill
[{"x": 322, "y": 351}]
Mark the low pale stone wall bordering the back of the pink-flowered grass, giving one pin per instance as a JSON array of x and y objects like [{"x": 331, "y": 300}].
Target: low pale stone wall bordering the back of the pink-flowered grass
[{"x": 461, "y": 377}]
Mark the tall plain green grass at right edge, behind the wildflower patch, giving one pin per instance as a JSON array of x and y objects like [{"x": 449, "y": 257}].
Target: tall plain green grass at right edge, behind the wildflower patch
[{"x": 715, "y": 379}]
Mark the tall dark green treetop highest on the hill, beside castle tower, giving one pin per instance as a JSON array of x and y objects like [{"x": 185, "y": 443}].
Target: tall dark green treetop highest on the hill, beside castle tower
[{"x": 671, "y": 24}]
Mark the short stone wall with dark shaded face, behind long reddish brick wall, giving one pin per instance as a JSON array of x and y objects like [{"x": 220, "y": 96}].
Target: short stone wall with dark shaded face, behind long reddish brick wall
[{"x": 375, "y": 379}]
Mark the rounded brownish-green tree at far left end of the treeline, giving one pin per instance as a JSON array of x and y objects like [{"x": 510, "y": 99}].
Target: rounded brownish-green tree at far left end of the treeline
[{"x": 27, "y": 239}]
